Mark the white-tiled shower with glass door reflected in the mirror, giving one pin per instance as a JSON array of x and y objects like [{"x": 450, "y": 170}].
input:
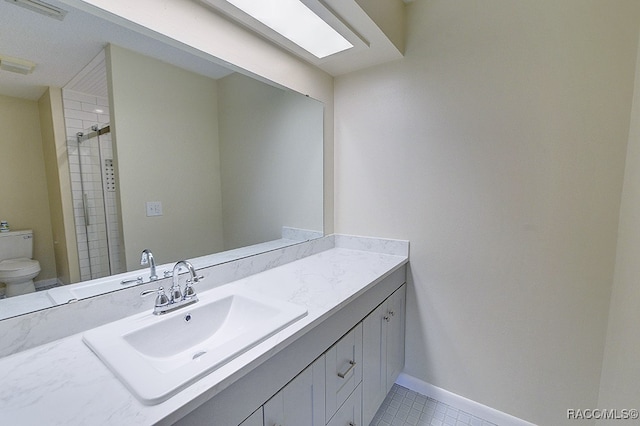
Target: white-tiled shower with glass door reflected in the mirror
[{"x": 99, "y": 256}]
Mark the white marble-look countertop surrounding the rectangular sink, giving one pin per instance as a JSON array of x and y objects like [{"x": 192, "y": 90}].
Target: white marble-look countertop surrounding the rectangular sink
[{"x": 64, "y": 383}]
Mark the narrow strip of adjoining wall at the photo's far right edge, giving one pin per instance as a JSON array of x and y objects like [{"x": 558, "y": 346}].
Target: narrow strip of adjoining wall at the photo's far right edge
[{"x": 620, "y": 381}]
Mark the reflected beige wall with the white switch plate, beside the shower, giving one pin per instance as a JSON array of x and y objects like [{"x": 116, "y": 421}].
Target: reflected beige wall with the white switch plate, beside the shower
[{"x": 166, "y": 143}]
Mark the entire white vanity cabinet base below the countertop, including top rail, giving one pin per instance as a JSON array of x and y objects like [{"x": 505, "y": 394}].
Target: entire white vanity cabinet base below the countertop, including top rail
[{"x": 339, "y": 372}]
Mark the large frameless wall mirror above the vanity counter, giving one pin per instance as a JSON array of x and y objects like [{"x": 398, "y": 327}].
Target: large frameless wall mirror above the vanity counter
[{"x": 115, "y": 142}]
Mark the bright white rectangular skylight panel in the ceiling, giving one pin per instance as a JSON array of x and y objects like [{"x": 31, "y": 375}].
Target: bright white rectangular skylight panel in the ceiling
[{"x": 296, "y": 22}]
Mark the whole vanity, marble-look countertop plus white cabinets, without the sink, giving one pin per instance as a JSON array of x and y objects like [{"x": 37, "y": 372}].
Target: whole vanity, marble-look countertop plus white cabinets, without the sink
[{"x": 327, "y": 367}]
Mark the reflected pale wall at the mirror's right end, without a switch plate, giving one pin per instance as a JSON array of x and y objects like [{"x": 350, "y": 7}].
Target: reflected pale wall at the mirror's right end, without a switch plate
[{"x": 271, "y": 174}]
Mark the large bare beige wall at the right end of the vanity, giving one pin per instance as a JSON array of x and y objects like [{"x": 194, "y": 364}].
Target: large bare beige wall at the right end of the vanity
[{"x": 497, "y": 146}]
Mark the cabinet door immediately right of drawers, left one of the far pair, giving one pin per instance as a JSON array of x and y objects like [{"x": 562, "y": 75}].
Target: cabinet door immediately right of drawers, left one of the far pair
[{"x": 374, "y": 362}]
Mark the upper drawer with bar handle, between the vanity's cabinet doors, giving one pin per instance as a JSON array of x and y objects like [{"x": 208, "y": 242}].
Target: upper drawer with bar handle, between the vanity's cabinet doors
[{"x": 343, "y": 369}]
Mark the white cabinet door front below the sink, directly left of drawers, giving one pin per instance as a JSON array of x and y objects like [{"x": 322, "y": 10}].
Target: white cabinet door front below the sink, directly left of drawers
[{"x": 301, "y": 401}]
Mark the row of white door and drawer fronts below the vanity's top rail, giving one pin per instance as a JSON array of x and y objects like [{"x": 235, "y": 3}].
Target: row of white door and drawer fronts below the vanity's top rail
[{"x": 349, "y": 382}]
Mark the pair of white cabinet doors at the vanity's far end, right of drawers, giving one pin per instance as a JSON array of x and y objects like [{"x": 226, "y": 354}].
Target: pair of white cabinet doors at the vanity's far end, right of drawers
[{"x": 383, "y": 353}]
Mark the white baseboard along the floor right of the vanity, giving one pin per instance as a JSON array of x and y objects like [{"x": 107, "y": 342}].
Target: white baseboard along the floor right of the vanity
[{"x": 460, "y": 402}]
